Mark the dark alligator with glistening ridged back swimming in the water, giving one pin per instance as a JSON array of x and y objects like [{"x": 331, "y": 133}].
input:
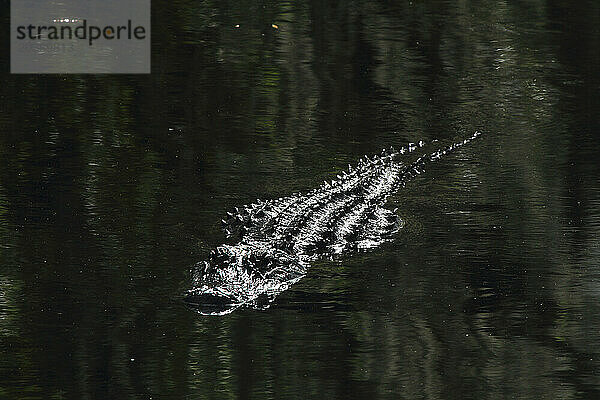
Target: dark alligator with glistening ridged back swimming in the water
[{"x": 276, "y": 240}]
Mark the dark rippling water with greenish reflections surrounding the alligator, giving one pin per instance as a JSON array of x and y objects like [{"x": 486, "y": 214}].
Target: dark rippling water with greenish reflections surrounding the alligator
[{"x": 111, "y": 187}]
